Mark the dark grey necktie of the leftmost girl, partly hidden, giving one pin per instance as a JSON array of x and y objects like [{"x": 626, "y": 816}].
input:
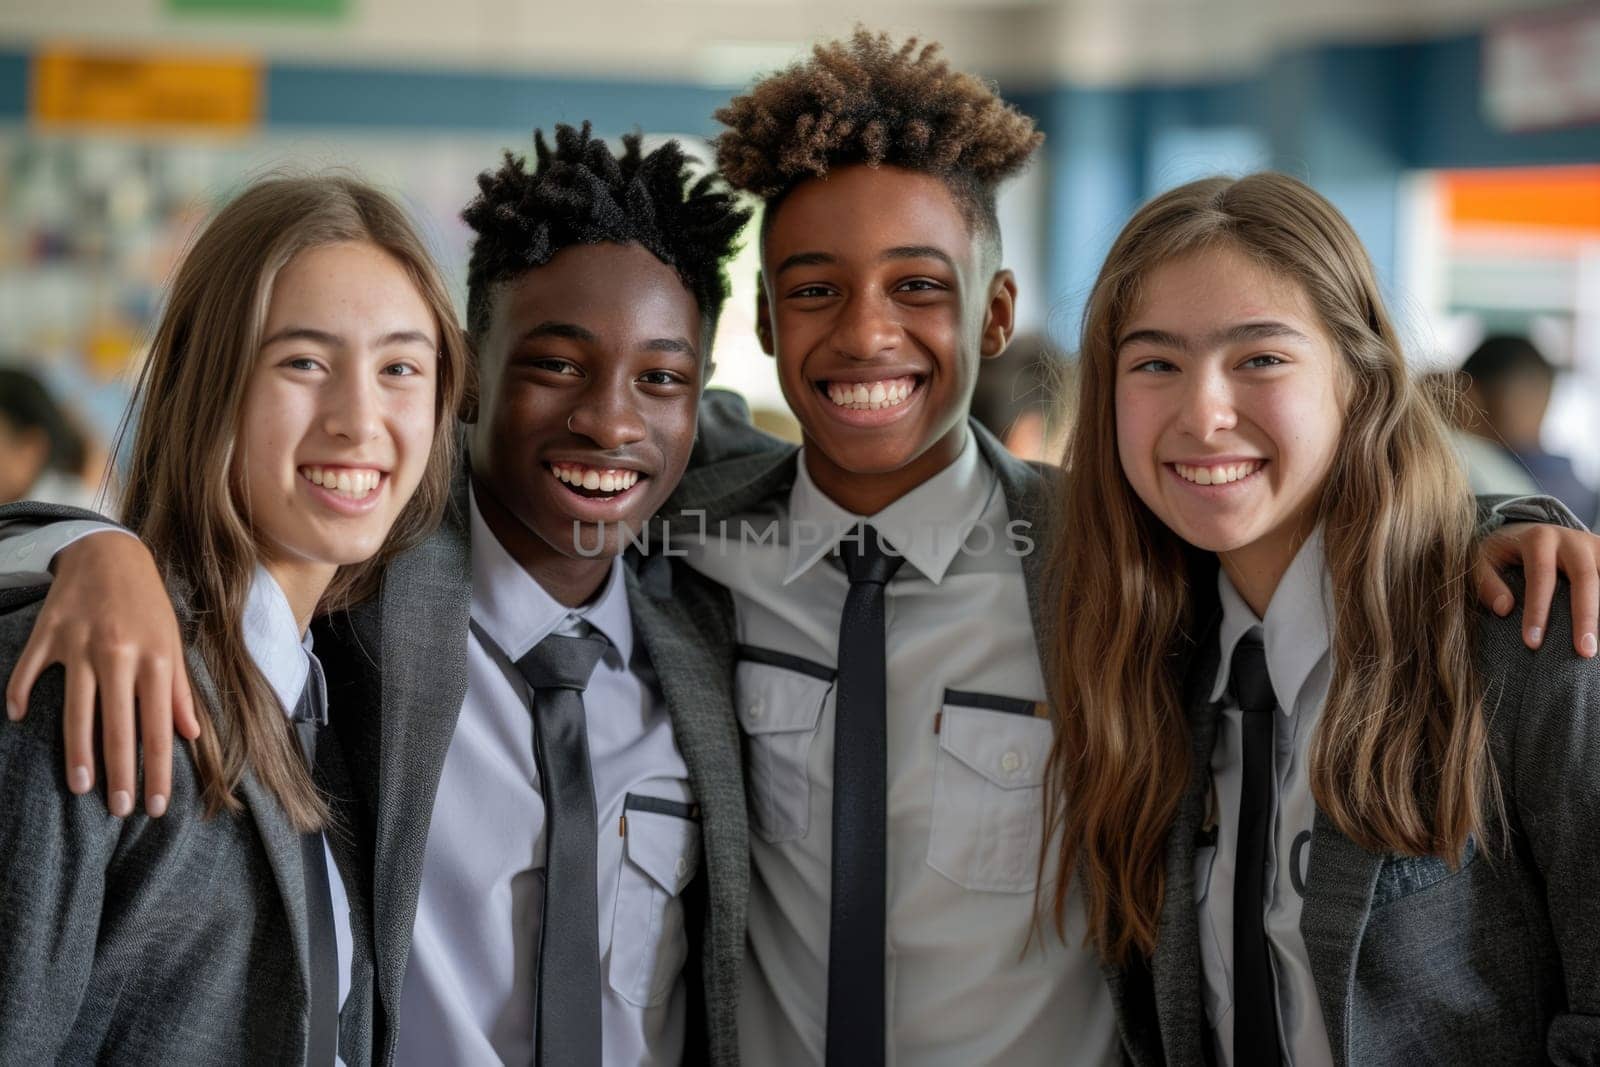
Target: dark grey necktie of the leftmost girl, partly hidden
[{"x": 311, "y": 717}]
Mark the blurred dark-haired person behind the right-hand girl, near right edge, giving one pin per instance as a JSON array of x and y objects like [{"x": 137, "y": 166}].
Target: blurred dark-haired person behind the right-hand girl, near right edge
[{"x": 1508, "y": 391}]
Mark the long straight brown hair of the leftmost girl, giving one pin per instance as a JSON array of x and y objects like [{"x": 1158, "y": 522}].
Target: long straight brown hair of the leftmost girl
[{"x": 182, "y": 495}]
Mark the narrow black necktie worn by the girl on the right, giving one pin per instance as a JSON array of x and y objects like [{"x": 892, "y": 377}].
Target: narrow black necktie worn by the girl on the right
[{"x": 1255, "y": 994}]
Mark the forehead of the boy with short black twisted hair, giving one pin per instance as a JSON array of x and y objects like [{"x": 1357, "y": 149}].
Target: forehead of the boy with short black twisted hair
[{"x": 622, "y": 294}]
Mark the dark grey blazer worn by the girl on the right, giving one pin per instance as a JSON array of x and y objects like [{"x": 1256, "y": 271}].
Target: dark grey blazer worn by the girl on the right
[{"x": 1497, "y": 962}]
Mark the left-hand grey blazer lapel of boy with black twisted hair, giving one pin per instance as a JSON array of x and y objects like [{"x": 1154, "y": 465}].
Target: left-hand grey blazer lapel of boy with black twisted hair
[{"x": 426, "y": 602}]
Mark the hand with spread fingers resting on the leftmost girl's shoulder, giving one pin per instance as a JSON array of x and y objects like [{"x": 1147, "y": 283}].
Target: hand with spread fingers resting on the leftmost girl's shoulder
[{"x": 110, "y": 625}]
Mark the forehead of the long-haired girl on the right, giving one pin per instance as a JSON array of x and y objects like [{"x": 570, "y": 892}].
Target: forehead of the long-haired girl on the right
[{"x": 1218, "y": 287}]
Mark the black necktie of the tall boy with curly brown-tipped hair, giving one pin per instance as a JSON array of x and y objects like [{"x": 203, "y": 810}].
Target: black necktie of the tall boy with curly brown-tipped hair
[{"x": 855, "y": 945}]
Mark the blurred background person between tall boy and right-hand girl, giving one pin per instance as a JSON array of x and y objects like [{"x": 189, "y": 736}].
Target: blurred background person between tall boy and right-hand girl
[{"x": 1025, "y": 396}]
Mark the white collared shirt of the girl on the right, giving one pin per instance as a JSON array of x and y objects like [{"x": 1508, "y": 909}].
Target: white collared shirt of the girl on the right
[{"x": 1297, "y": 639}]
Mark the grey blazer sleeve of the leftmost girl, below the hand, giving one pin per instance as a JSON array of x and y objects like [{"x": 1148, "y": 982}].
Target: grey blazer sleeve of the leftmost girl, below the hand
[{"x": 55, "y": 850}]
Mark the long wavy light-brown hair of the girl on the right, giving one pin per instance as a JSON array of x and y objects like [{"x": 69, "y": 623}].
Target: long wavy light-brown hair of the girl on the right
[{"x": 1401, "y": 756}]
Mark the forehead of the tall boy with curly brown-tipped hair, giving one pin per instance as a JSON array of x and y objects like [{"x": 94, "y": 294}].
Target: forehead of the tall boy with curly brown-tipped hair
[{"x": 858, "y": 212}]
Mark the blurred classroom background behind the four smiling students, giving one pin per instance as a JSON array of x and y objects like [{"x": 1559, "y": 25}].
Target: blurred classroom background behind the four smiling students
[{"x": 1462, "y": 138}]
